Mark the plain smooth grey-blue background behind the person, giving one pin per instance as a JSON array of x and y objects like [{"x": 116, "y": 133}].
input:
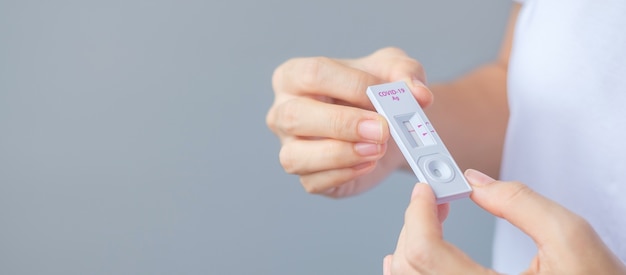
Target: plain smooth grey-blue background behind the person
[{"x": 133, "y": 137}]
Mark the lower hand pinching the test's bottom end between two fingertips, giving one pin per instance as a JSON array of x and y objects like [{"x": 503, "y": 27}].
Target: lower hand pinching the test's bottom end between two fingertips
[{"x": 566, "y": 243}]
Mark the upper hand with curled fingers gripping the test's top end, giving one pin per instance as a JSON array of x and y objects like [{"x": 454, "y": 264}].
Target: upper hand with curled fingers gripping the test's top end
[{"x": 330, "y": 135}]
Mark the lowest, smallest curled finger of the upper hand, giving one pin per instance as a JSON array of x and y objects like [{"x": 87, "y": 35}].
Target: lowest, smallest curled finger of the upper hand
[{"x": 327, "y": 182}]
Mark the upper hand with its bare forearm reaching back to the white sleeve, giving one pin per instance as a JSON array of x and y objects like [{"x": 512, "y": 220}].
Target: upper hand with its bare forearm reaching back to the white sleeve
[{"x": 320, "y": 112}]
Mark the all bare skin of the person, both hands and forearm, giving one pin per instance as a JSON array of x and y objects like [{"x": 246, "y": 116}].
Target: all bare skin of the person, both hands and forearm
[{"x": 338, "y": 146}]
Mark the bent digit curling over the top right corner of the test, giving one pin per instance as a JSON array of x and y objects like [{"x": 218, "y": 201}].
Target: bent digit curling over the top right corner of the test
[{"x": 393, "y": 64}]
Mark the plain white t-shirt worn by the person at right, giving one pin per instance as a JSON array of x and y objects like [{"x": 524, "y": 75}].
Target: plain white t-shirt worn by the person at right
[{"x": 567, "y": 130}]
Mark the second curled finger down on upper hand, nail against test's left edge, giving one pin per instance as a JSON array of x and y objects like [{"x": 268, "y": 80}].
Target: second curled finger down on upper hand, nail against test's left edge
[{"x": 310, "y": 118}]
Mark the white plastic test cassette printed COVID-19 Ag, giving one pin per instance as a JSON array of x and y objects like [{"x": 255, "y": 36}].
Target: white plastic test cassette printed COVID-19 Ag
[{"x": 417, "y": 139}]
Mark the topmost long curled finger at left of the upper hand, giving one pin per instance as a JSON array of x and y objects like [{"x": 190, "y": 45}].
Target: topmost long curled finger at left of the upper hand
[{"x": 321, "y": 76}]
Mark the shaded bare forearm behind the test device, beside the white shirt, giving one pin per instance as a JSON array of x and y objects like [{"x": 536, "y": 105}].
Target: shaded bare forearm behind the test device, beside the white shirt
[{"x": 470, "y": 115}]
